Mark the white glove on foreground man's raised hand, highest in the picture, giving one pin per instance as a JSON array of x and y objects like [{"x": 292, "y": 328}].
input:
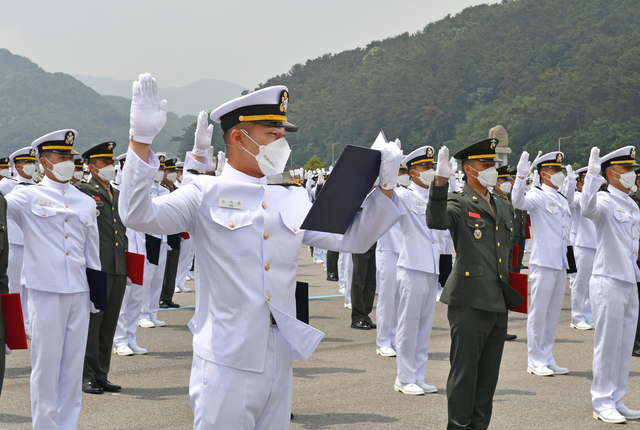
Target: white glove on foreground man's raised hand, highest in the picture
[{"x": 148, "y": 114}]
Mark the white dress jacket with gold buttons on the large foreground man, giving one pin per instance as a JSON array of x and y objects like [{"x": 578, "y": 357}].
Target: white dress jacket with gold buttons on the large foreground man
[{"x": 247, "y": 237}]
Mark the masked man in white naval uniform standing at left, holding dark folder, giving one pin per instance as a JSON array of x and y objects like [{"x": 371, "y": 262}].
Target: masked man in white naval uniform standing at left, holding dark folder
[{"x": 60, "y": 243}]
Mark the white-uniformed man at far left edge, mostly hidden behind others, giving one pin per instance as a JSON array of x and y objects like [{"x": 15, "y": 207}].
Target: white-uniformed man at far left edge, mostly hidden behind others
[{"x": 24, "y": 172}]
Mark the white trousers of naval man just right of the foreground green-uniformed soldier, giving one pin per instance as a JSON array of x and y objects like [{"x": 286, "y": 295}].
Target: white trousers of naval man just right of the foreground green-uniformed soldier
[{"x": 547, "y": 293}]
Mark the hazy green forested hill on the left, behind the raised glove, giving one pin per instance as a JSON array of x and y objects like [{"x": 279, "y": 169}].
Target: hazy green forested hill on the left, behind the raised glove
[{"x": 34, "y": 102}]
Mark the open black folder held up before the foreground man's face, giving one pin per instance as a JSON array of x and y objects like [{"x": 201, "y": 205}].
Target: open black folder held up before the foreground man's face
[{"x": 344, "y": 191}]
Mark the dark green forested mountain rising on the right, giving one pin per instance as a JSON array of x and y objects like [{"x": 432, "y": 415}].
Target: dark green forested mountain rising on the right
[{"x": 543, "y": 69}]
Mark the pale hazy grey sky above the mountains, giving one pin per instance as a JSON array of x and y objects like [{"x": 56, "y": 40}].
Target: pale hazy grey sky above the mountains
[{"x": 180, "y": 42}]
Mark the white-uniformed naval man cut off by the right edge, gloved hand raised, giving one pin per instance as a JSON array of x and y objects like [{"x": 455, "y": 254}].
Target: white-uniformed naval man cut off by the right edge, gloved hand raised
[{"x": 613, "y": 290}]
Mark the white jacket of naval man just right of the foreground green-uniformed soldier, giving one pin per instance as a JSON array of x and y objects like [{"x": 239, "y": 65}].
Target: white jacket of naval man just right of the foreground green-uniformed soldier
[{"x": 550, "y": 217}]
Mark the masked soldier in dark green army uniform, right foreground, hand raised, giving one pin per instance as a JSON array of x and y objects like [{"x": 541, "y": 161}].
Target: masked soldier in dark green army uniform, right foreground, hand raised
[{"x": 477, "y": 291}]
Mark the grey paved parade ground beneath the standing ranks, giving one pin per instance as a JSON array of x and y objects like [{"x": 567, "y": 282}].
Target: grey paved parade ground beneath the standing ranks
[{"x": 344, "y": 385}]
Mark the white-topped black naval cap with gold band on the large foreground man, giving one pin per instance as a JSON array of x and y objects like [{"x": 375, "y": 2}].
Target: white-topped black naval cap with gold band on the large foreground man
[{"x": 267, "y": 106}]
